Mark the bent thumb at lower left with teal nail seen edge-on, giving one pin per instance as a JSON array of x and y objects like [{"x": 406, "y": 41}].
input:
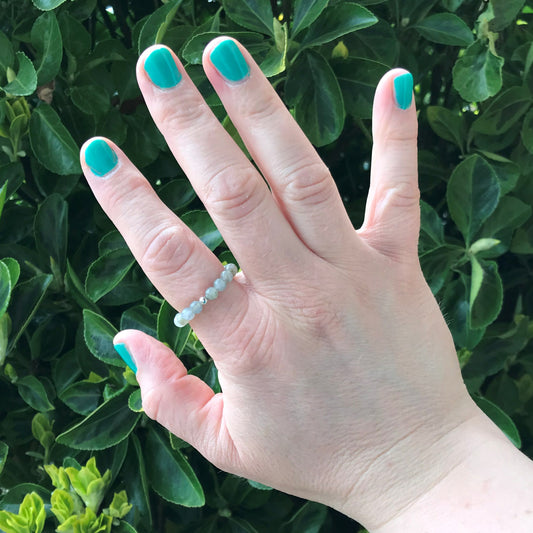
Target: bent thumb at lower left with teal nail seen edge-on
[{"x": 180, "y": 402}]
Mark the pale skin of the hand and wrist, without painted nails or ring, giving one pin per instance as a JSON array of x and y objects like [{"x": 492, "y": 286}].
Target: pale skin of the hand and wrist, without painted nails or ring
[{"x": 339, "y": 374}]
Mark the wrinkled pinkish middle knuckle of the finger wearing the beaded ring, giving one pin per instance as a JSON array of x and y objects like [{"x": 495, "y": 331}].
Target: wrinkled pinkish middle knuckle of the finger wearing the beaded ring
[{"x": 166, "y": 250}]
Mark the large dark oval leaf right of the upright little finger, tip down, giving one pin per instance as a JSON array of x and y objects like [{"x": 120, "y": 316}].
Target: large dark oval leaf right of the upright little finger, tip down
[{"x": 473, "y": 194}]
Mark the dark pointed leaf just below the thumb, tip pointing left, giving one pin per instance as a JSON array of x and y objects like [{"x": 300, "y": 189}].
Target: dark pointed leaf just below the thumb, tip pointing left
[{"x": 108, "y": 425}]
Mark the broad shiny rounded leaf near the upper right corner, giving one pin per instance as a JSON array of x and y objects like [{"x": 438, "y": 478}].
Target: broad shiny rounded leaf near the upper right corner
[{"x": 477, "y": 75}]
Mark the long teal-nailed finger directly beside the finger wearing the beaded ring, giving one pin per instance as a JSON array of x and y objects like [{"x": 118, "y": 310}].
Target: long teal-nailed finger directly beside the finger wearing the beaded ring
[{"x": 232, "y": 190}]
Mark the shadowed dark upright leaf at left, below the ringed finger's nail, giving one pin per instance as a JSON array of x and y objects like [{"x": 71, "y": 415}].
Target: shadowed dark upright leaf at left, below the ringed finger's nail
[{"x": 51, "y": 229}]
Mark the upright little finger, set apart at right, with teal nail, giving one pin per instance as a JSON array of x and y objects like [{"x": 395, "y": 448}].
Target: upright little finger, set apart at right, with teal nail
[{"x": 392, "y": 218}]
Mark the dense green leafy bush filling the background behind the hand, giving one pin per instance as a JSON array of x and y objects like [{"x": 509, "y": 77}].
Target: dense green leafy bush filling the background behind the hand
[{"x": 68, "y": 282}]
